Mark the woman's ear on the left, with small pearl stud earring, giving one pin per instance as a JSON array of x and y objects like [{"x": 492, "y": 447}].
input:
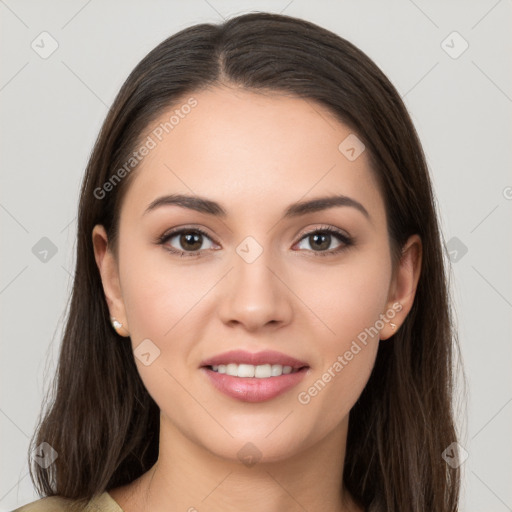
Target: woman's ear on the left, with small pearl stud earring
[{"x": 107, "y": 266}]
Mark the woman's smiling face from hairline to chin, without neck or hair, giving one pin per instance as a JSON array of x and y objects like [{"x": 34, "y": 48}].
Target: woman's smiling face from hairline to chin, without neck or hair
[{"x": 193, "y": 285}]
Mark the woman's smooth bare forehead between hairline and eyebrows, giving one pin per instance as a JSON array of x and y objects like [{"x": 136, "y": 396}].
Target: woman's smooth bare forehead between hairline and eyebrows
[{"x": 246, "y": 148}]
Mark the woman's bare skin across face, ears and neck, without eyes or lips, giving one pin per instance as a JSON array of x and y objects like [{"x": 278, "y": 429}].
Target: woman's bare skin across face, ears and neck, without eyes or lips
[{"x": 255, "y": 154}]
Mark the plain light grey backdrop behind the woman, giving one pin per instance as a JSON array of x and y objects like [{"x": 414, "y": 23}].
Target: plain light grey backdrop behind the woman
[{"x": 52, "y": 109}]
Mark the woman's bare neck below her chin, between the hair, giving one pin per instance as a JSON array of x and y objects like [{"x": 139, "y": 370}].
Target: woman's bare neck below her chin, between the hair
[{"x": 190, "y": 478}]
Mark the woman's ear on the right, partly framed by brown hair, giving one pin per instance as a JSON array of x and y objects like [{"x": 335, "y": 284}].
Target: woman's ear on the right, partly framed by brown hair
[{"x": 403, "y": 286}]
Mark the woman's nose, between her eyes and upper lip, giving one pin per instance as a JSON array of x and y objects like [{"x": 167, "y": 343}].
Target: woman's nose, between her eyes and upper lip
[{"x": 255, "y": 296}]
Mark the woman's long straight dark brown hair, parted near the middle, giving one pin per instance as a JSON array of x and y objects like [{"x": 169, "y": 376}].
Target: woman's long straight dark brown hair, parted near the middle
[{"x": 101, "y": 420}]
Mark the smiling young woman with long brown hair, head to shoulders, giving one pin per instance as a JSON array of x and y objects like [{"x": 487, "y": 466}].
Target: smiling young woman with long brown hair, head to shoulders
[{"x": 260, "y": 317}]
